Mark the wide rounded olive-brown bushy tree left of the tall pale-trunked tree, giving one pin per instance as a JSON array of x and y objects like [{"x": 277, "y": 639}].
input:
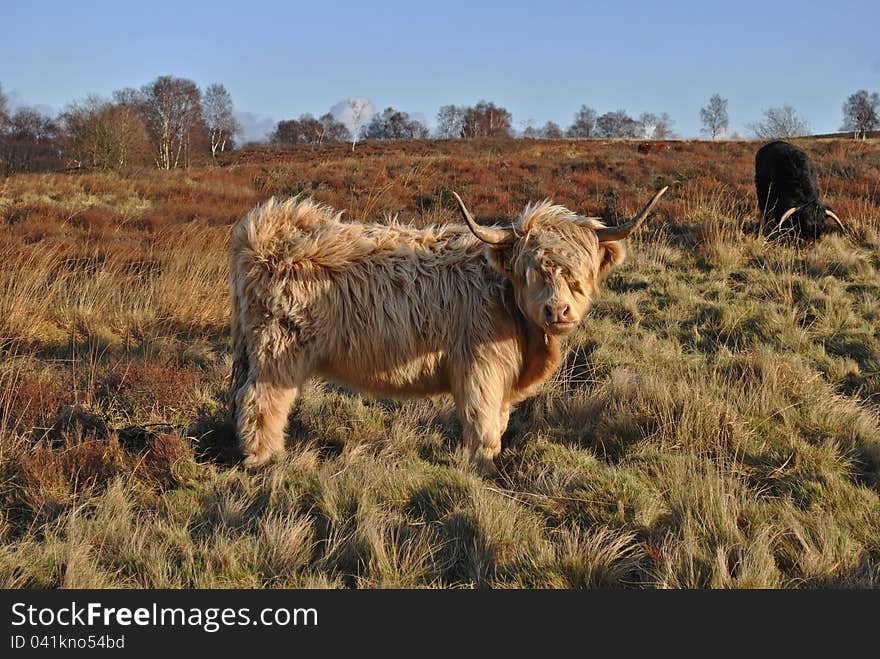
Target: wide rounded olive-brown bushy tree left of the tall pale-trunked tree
[{"x": 104, "y": 135}]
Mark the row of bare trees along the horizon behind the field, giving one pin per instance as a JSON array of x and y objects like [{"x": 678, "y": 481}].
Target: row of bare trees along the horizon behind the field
[{"x": 171, "y": 121}]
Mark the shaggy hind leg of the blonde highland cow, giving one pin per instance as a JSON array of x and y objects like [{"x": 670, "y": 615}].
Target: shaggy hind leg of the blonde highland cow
[{"x": 262, "y": 407}]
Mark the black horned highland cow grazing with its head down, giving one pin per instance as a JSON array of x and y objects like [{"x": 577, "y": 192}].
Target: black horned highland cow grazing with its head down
[{"x": 788, "y": 194}]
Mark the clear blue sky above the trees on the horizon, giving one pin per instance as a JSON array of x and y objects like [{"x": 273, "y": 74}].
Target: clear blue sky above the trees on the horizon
[{"x": 541, "y": 60}]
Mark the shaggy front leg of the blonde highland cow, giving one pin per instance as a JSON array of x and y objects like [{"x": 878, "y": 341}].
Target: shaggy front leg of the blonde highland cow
[{"x": 484, "y": 414}]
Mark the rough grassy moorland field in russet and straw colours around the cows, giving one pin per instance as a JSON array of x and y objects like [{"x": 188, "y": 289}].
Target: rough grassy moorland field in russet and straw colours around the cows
[{"x": 715, "y": 424}]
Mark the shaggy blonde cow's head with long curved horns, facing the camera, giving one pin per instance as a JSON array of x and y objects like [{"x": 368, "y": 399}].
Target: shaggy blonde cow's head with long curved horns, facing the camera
[{"x": 555, "y": 259}]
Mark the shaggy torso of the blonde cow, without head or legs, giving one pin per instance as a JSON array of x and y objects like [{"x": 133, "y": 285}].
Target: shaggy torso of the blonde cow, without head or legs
[{"x": 380, "y": 307}]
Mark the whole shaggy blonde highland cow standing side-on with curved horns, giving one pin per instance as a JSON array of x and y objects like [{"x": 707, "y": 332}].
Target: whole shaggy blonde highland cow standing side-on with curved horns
[{"x": 393, "y": 310}]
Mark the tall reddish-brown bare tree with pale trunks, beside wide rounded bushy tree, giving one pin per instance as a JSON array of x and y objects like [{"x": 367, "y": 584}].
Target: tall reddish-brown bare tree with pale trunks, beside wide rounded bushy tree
[{"x": 173, "y": 111}]
